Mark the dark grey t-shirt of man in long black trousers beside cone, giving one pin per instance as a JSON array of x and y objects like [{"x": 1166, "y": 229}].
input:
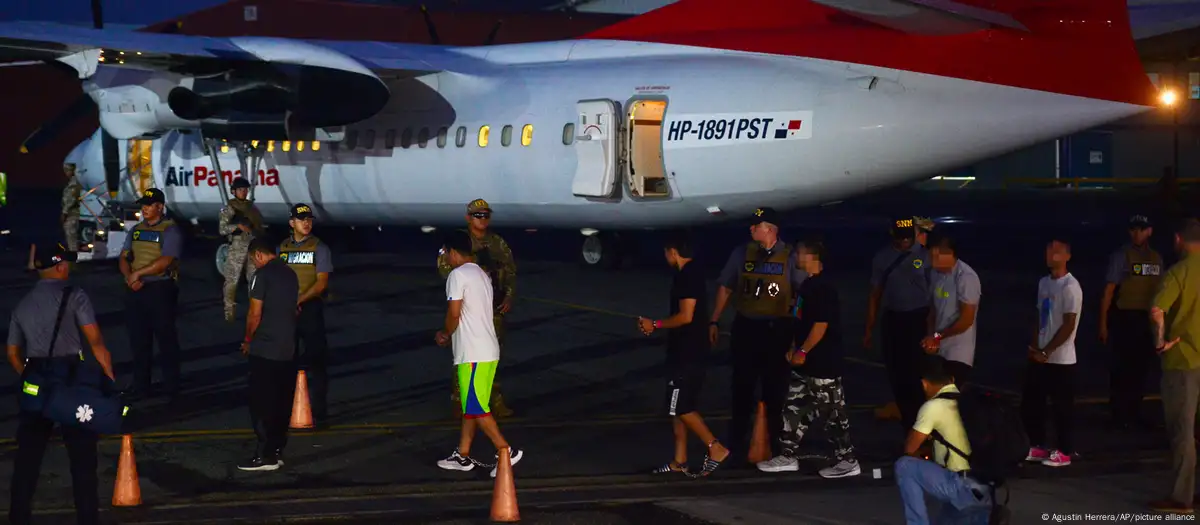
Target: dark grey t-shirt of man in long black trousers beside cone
[{"x": 279, "y": 288}]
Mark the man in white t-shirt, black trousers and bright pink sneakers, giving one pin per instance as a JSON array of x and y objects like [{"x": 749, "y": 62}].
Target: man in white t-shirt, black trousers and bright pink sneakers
[{"x": 1052, "y": 370}]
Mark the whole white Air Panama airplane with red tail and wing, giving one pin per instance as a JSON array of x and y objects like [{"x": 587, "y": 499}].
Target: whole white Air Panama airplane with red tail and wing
[{"x": 694, "y": 112}]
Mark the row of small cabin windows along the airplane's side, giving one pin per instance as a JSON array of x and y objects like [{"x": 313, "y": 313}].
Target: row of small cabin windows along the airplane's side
[{"x": 423, "y": 138}]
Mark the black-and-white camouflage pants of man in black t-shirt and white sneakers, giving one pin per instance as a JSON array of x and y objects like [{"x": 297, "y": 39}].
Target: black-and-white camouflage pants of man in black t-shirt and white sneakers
[{"x": 809, "y": 399}]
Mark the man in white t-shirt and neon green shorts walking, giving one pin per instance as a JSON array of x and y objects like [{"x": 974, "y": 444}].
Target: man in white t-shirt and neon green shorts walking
[{"x": 477, "y": 352}]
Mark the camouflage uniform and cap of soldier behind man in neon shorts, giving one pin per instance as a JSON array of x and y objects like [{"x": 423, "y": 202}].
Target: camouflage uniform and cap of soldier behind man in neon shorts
[{"x": 494, "y": 256}]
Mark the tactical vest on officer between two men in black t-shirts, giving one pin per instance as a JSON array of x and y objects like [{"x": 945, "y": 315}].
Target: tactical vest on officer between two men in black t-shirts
[{"x": 766, "y": 291}]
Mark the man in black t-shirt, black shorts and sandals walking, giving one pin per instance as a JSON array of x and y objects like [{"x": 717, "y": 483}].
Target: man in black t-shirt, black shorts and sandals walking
[{"x": 687, "y": 357}]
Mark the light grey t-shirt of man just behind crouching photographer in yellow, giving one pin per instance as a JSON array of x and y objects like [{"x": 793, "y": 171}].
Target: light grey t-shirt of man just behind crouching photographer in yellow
[{"x": 949, "y": 289}]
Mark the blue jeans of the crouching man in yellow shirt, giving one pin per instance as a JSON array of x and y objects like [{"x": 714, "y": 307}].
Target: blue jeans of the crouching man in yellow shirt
[{"x": 961, "y": 504}]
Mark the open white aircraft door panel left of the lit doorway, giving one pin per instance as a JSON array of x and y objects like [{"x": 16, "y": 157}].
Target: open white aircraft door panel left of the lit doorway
[{"x": 596, "y": 149}]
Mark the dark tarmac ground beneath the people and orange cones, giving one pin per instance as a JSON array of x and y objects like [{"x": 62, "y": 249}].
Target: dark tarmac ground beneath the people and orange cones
[{"x": 589, "y": 394}]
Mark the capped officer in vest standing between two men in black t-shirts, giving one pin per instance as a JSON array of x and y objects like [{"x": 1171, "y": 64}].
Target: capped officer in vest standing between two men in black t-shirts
[{"x": 764, "y": 282}]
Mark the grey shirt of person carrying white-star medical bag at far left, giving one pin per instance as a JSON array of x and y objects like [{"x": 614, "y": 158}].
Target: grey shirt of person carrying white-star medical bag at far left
[{"x": 33, "y": 321}]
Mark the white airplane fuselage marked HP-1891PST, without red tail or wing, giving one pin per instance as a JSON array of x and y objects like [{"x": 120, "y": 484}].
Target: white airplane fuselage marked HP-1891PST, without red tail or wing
[{"x": 728, "y": 132}]
